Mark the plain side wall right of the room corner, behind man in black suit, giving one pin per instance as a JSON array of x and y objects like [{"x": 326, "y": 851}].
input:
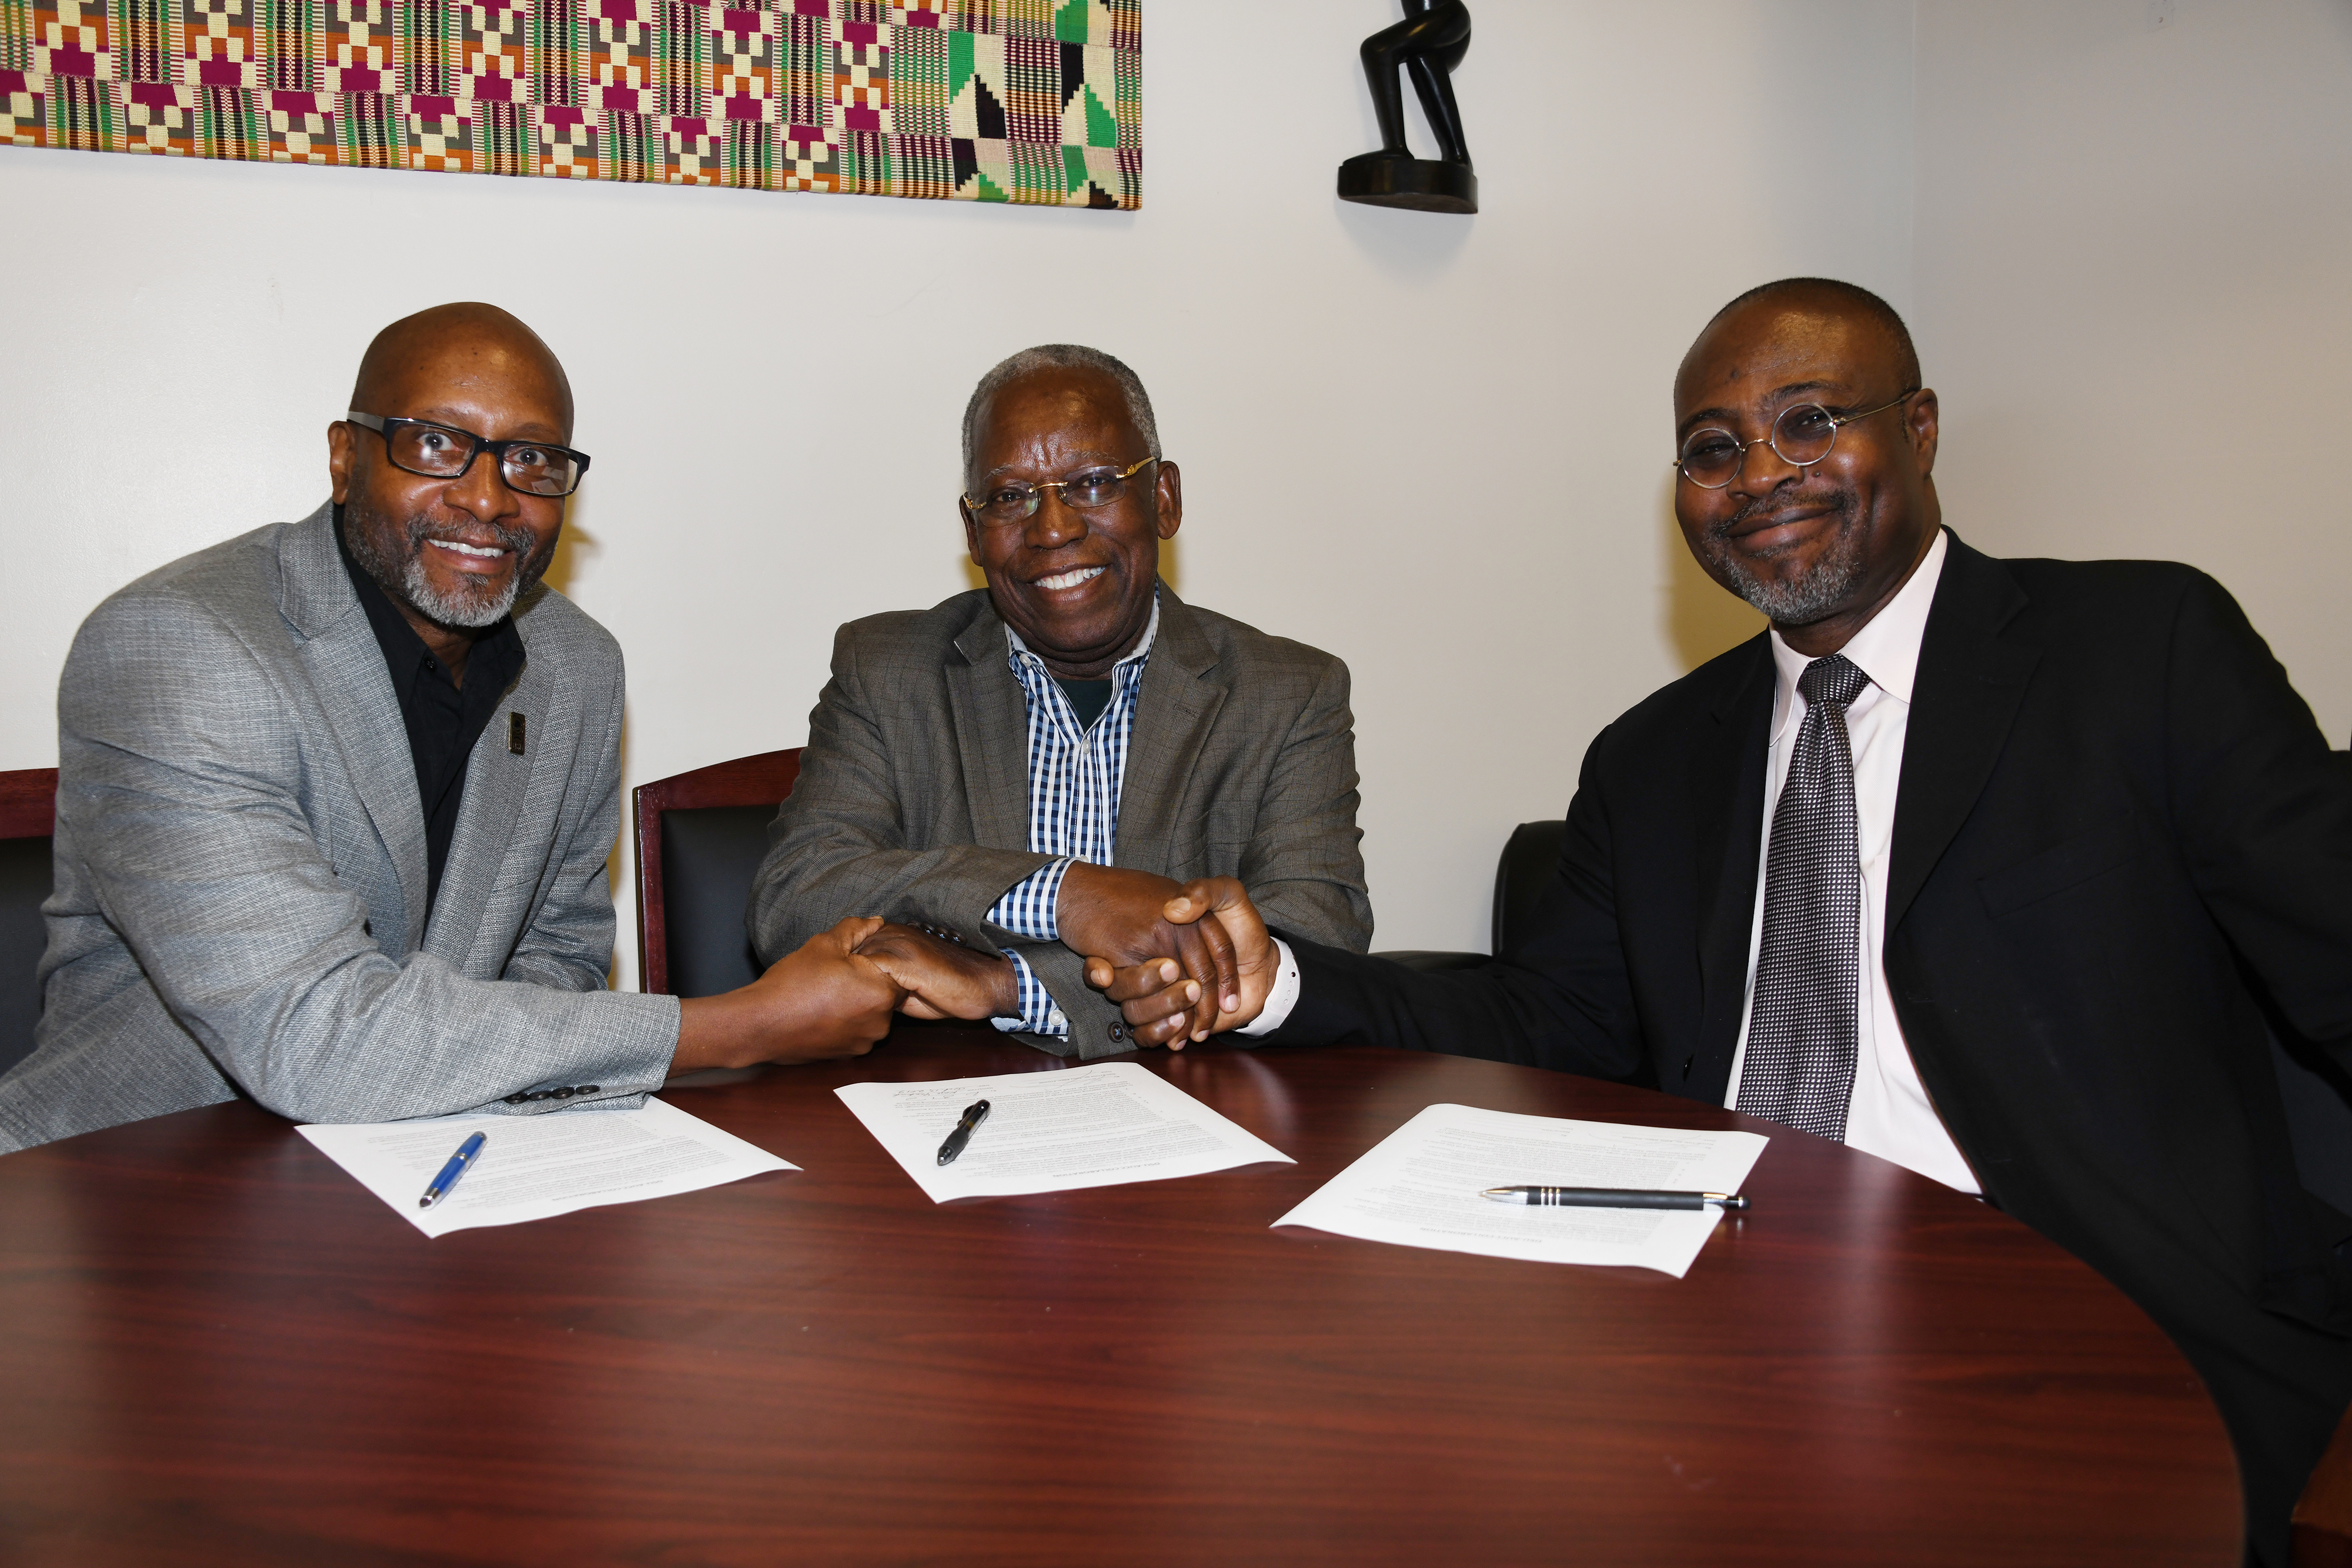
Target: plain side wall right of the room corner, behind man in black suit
[{"x": 2132, "y": 262}]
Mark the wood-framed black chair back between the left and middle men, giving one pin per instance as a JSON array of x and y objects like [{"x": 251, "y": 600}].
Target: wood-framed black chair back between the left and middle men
[{"x": 700, "y": 840}]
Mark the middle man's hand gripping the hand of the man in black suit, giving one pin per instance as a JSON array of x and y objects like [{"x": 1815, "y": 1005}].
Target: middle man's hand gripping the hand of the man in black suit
[{"x": 1118, "y": 918}]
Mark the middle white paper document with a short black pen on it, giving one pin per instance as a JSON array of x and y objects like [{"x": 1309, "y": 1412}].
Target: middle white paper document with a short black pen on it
[{"x": 1053, "y": 1132}]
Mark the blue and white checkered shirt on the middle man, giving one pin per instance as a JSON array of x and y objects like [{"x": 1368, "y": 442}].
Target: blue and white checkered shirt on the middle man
[{"x": 1074, "y": 805}]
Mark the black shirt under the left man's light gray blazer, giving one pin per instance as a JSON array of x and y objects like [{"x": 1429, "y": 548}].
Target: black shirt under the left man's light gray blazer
[{"x": 443, "y": 721}]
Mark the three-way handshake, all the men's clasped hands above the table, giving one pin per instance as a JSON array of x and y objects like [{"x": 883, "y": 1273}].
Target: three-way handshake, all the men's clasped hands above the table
[{"x": 1182, "y": 960}]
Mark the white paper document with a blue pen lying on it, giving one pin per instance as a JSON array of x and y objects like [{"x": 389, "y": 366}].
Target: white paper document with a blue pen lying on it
[{"x": 537, "y": 1167}]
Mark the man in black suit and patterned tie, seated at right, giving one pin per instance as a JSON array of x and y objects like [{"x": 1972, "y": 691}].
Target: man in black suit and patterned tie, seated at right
[{"x": 2045, "y": 845}]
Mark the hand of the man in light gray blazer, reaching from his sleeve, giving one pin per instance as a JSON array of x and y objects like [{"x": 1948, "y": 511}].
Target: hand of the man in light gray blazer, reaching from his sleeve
[{"x": 813, "y": 1005}]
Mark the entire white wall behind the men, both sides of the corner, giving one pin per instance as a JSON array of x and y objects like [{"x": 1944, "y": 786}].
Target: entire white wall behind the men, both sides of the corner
[{"x": 1431, "y": 445}]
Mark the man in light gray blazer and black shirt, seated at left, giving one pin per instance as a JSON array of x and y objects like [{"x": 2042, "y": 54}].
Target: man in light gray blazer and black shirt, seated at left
[{"x": 335, "y": 800}]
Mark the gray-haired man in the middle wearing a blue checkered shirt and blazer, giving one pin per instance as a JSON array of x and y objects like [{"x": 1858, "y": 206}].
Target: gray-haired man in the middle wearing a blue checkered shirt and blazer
[{"x": 1038, "y": 765}]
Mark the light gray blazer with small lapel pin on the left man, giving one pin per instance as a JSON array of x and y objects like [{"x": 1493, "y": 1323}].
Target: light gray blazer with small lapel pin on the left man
[{"x": 241, "y": 866}]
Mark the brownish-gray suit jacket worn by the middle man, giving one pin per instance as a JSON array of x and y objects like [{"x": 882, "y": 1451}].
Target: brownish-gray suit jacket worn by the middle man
[{"x": 914, "y": 789}]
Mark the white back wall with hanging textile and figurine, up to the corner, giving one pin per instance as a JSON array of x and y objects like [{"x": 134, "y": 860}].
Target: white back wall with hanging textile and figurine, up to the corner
[{"x": 1431, "y": 445}]
